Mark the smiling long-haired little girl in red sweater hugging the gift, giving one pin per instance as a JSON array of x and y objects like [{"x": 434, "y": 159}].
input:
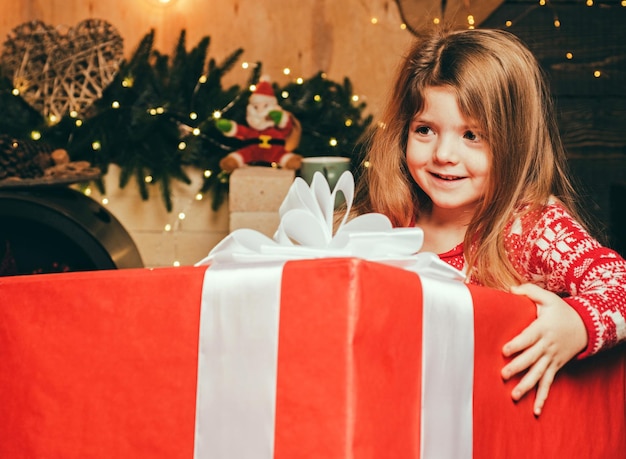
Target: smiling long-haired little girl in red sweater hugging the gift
[{"x": 468, "y": 149}]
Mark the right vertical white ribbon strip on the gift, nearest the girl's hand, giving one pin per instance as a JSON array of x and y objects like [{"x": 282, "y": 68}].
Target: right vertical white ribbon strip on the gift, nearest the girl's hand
[{"x": 447, "y": 370}]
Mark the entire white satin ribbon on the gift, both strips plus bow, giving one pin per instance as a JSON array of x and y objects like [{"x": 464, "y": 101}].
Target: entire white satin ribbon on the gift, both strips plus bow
[{"x": 239, "y": 320}]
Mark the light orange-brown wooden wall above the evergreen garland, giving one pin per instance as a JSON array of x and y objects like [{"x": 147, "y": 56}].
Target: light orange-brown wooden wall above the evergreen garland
[{"x": 306, "y": 36}]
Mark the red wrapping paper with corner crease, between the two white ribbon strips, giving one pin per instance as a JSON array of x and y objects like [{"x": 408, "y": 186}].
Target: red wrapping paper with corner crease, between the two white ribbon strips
[{"x": 358, "y": 388}]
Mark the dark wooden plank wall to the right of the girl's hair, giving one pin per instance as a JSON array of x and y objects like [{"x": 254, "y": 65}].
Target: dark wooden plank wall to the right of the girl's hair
[{"x": 591, "y": 110}]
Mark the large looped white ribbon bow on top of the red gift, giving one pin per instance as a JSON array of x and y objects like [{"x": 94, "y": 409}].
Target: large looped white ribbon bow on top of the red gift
[{"x": 306, "y": 231}]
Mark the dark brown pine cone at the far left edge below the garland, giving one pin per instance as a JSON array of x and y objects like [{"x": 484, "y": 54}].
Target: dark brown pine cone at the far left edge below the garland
[{"x": 23, "y": 158}]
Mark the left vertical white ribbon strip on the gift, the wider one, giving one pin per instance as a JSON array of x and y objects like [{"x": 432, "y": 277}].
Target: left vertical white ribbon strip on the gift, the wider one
[{"x": 237, "y": 362}]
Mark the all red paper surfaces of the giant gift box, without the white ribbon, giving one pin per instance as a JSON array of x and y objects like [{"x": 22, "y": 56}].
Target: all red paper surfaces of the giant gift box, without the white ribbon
[{"x": 103, "y": 364}]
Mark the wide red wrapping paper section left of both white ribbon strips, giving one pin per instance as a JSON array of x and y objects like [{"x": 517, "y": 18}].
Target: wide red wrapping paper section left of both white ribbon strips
[{"x": 99, "y": 364}]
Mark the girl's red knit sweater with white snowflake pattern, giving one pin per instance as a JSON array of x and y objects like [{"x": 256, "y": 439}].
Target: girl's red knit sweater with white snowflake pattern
[{"x": 551, "y": 249}]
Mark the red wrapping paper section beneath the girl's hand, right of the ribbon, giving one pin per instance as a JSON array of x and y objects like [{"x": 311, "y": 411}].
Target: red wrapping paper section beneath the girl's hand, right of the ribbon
[{"x": 584, "y": 416}]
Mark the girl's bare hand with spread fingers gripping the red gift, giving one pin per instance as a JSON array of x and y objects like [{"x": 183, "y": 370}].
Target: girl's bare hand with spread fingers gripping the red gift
[{"x": 549, "y": 342}]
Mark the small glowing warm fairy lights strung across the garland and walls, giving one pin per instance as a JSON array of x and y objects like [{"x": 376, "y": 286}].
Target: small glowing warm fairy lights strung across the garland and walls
[{"x": 179, "y": 215}]
